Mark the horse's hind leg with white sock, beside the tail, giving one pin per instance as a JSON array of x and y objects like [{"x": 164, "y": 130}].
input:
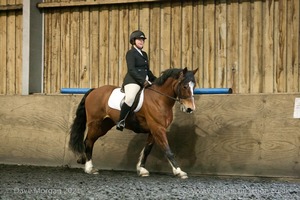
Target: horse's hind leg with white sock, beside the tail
[{"x": 96, "y": 129}]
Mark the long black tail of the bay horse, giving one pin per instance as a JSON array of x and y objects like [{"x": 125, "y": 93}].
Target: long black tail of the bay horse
[{"x": 78, "y": 127}]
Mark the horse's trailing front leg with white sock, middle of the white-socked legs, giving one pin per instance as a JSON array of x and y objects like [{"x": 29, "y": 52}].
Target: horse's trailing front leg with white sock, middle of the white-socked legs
[{"x": 140, "y": 167}]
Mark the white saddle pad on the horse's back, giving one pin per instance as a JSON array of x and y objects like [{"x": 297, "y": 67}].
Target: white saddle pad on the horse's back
[{"x": 117, "y": 96}]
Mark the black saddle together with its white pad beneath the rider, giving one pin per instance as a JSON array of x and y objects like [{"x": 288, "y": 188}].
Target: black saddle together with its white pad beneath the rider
[{"x": 117, "y": 98}]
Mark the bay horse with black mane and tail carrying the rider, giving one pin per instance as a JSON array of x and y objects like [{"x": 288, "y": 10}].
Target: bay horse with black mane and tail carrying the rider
[{"x": 153, "y": 118}]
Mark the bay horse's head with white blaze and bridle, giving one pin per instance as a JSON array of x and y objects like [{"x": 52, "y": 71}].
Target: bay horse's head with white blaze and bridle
[{"x": 185, "y": 90}]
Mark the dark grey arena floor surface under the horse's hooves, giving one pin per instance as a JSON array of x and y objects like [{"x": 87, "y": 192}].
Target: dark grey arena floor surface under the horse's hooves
[{"x": 31, "y": 182}]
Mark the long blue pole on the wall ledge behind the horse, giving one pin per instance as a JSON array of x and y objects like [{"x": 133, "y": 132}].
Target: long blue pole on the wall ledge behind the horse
[{"x": 196, "y": 91}]
